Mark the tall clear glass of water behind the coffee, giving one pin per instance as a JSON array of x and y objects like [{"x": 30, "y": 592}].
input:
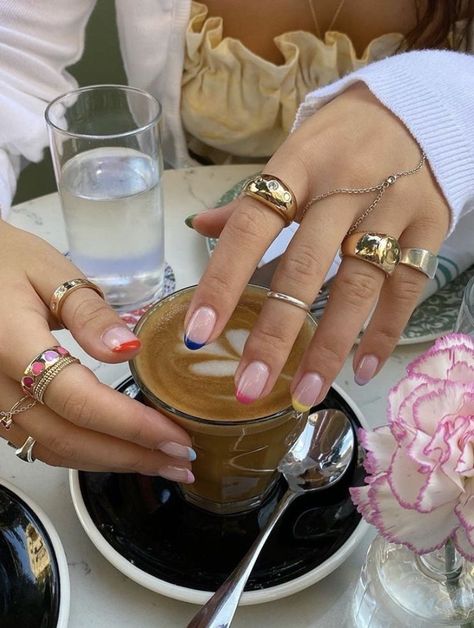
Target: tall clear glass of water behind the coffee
[{"x": 106, "y": 149}]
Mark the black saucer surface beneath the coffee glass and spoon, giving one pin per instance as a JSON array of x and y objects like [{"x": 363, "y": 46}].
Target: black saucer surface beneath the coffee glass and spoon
[{"x": 147, "y": 521}]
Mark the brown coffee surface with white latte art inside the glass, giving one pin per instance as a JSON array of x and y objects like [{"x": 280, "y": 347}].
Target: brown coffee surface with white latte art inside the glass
[{"x": 201, "y": 383}]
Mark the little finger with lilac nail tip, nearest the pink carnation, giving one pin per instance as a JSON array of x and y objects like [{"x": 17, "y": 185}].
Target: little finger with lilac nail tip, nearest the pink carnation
[{"x": 398, "y": 298}]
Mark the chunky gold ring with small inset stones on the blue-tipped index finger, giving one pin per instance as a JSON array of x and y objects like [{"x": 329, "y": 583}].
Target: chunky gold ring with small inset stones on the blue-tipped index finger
[{"x": 273, "y": 193}]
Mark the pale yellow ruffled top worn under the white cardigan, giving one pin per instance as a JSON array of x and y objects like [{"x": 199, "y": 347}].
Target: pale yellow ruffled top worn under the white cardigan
[{"x": 237, "y": 106}]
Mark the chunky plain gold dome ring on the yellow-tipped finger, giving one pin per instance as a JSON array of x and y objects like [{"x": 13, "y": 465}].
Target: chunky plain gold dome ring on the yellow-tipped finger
[{"x": 378, "y": 249}]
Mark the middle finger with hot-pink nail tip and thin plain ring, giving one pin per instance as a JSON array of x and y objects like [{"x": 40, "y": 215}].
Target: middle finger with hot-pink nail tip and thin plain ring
[{"x": 299, "y": 274}]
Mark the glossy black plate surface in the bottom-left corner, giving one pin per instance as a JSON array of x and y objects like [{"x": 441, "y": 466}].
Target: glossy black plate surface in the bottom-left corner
[{"x": 29, "y": 574}]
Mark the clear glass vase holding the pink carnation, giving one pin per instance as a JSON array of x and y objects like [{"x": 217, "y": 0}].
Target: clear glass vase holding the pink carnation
[{"x": 399, "y": 589}]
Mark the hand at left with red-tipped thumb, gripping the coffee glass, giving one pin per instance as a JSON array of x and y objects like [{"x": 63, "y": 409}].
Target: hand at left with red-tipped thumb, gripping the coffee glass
[{"x": 84, "y": 424}]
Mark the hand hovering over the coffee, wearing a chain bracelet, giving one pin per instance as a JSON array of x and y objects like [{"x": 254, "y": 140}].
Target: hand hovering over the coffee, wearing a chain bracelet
[{"x": 352, "y": 142}]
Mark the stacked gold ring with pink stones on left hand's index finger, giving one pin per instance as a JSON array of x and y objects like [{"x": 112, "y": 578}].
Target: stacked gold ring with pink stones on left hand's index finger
[{"x": 43, "y": 369}]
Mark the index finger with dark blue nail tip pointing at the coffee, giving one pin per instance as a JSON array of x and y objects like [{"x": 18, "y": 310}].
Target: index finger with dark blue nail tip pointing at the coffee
[{"x": 247, "y": 234}]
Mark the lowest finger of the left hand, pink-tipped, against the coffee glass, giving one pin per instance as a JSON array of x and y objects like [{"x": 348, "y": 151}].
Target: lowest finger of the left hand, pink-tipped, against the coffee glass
[{"x": 60, "y": 443}]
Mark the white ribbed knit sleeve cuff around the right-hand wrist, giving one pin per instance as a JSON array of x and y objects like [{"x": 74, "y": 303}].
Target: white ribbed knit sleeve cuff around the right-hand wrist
[{"x": 432, "y": 92}]
